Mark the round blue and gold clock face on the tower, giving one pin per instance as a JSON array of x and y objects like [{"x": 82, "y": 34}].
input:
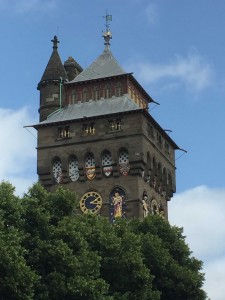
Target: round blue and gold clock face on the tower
[{"x": 91, "y": 202}]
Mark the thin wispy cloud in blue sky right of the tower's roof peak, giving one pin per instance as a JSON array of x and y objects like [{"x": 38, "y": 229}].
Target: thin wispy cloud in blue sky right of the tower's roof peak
[{"x": 193, "y": 71}]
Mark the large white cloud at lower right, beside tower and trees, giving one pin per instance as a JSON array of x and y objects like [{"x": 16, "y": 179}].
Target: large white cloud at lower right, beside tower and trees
[{"x": 200, "y": 211}]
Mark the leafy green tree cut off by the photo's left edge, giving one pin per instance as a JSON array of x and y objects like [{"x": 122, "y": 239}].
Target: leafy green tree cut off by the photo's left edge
[{"x": 16, "y": 277}]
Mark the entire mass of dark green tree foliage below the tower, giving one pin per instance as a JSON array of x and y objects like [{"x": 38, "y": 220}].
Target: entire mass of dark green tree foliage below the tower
[{"x": 48, "y": 250}]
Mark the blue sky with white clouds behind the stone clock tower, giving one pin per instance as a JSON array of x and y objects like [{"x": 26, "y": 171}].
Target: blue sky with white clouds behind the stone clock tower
[{"x": 176, "y": 50}]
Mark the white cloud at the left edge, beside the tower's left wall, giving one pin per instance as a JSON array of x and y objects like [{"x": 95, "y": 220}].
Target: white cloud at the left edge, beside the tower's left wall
[{"x": 17, "y": 151}]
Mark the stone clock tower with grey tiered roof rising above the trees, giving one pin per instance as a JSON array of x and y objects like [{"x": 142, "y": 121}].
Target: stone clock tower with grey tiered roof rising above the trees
[{"x": 97, "y": 138}]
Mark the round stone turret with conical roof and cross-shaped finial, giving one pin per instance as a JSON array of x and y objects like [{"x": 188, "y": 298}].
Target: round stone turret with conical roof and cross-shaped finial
[{"x": 51, "y": 84}]
